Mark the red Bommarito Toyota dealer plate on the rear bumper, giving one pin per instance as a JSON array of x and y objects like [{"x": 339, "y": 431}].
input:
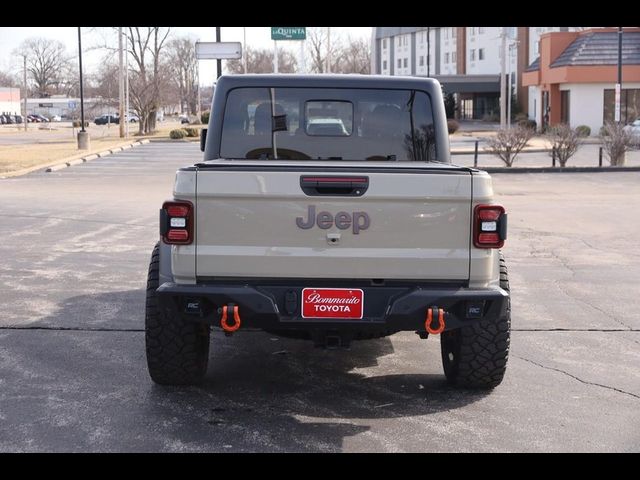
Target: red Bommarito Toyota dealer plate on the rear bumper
[{"x": 332, "y": 303}]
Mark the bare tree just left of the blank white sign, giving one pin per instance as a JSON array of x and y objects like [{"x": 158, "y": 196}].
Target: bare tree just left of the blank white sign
[{"x": 183, "y": 65}]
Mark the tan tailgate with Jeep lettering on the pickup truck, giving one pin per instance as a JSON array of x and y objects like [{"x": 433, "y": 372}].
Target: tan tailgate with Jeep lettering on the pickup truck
[{"x": 411, "y": 223}]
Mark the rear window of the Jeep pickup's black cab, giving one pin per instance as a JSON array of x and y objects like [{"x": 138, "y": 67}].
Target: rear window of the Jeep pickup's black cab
[{"x": 328, "y": 124}]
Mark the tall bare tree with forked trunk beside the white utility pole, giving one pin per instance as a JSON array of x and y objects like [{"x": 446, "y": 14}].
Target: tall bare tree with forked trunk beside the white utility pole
[{"x": 145, "y": 47}]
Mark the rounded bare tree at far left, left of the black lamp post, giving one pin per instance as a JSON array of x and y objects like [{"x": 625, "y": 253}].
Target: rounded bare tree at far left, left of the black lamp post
[{"x": 48, "y": 65}]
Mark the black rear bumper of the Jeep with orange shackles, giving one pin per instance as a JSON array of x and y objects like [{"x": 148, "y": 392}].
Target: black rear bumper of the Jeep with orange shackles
[{"x": 386, "y": 308}]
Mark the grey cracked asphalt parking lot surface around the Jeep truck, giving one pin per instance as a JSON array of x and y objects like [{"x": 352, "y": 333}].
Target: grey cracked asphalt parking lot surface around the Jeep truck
[{"x": 75, "y": 250}]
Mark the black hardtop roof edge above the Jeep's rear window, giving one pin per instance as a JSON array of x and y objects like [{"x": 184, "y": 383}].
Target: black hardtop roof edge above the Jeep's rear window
[{"x": 326, "y": 81}]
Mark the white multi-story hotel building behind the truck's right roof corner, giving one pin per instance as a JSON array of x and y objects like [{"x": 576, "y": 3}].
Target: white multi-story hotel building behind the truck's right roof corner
[{"x": 466, "y": 60}]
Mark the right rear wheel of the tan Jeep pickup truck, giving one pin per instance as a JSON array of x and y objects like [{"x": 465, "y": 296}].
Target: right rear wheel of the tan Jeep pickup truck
[{"x": 476, "y": 356}]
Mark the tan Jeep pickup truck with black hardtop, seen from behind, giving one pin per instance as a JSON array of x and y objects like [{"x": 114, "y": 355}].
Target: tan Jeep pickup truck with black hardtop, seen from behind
[{"x": 326, "y": 208}]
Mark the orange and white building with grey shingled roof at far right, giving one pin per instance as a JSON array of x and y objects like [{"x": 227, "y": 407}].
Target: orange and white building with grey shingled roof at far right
[{"x": 573, "y": 79}]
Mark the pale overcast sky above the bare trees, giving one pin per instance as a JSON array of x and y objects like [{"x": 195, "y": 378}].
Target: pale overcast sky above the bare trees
[{"x": 92, "y": 37}]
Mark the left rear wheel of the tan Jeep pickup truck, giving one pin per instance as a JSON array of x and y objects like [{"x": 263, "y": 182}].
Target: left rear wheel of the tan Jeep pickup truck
[{"x": 177, "y": 351}]
